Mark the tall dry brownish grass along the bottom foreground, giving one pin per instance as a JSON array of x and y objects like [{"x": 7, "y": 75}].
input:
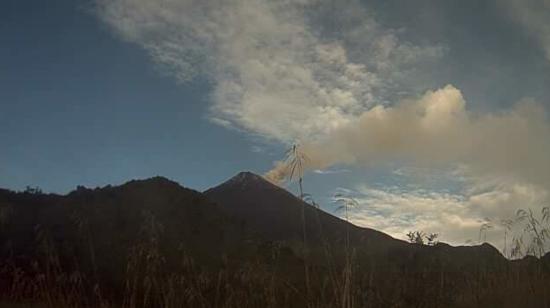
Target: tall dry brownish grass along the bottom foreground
[{"x": 349, "y": 278}]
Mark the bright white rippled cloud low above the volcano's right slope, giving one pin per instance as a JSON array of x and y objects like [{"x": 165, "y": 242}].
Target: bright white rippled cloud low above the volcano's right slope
[{"x": 457, "y": 217}]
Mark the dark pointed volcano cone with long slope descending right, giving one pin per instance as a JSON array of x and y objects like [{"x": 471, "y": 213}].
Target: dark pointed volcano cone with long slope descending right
[{"x": 276, "y": 215}]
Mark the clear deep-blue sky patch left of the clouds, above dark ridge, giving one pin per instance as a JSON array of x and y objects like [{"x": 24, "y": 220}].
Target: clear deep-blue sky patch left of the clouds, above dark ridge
[{"x": 81, "y": 107}]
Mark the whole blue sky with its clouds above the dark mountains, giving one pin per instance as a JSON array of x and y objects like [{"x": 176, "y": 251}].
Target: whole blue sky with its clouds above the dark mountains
[{"x": 432, "y": 114}]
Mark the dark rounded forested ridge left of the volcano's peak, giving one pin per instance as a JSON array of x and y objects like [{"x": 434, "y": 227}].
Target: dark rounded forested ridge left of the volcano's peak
[{"x": 116, "y": 215}]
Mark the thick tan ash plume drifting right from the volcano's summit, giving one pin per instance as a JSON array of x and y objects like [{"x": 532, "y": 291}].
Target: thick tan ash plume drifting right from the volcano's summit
[{"x": 437, "y": 129}]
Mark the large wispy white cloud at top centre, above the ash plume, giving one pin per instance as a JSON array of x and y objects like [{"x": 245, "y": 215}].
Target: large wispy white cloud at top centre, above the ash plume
[{"x": 276, "y": 70}]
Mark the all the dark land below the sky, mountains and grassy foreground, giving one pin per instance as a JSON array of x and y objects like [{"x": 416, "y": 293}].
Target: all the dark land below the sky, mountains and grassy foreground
[{"x": 245, "y": 243}]
